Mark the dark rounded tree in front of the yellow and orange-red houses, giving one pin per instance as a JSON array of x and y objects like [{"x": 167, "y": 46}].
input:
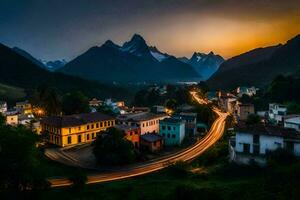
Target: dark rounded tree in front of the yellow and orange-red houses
[{"x": 112, "y": 148}]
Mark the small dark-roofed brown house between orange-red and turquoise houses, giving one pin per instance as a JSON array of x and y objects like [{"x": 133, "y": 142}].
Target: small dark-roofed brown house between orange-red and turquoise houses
[{"x": 152, "y": 142}]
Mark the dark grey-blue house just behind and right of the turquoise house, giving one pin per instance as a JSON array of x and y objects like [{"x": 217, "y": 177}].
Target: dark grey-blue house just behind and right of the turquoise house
[{"x": 190, "y": 120}]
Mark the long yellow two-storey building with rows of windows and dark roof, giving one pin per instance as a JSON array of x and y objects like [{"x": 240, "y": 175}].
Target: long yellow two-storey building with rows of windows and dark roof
[{"x": 75, "y": 129}]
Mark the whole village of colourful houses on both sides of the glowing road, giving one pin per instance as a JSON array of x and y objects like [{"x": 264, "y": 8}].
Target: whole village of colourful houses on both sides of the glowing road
[{"x": 159, "y": 130}]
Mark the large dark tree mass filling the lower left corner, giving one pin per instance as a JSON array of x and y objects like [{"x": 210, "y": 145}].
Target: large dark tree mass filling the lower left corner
[{"x": 20, "y": 166}]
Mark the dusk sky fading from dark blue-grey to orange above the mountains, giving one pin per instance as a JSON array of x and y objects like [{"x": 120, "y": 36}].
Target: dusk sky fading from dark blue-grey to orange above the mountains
[{"x": 56, "y": 29}]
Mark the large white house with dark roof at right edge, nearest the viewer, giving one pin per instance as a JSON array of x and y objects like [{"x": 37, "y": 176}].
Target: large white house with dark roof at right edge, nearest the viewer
[{"x": 256, "y": 141}]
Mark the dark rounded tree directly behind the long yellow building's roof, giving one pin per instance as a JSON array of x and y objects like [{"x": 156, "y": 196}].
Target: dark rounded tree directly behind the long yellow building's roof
[{"x": 75, "y": 103}]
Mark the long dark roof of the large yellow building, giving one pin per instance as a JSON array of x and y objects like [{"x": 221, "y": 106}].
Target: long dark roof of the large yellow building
[{"x": 75, "y": 120}]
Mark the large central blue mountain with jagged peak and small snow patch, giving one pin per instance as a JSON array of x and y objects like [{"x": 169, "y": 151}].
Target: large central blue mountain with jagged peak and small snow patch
[{"x": 134, "y": 61}]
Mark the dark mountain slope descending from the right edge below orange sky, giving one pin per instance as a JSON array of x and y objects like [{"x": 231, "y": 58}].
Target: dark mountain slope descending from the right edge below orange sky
[{"x": 259, "y": 66}]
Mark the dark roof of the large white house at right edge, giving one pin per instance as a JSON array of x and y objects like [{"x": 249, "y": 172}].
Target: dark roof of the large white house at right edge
[{"x": 261, "y": 129}]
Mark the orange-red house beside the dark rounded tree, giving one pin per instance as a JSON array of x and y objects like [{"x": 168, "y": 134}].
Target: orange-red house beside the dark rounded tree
[{"x": 132, "y": 133}]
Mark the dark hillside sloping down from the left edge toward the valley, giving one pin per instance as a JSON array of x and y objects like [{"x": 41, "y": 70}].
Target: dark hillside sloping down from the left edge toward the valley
[{"x": 18, "y": 71}]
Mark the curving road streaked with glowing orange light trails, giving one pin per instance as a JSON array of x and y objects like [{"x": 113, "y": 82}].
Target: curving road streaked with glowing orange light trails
[{"x": 214, "y": 134}]
